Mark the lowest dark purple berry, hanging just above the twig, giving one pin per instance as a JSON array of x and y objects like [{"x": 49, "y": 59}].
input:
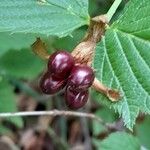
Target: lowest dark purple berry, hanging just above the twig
[{"x": 75, "y": 99}]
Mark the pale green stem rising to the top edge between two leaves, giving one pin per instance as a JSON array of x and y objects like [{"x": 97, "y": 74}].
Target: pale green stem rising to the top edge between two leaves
[{"x": 113, "y": 9}]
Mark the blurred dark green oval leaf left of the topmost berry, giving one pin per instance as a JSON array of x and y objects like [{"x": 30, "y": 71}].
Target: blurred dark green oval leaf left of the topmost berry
[{"x": 21, "y": 64}]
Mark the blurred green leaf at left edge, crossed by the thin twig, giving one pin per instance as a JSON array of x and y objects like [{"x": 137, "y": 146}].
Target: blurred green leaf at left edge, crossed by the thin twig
[{"x": 8, "y": 103}]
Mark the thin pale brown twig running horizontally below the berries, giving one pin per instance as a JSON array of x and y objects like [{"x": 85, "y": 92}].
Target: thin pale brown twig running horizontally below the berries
[{"x": 51, "y": 113}]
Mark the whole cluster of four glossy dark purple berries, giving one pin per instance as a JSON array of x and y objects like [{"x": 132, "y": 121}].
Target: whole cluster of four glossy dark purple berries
[{"x": 62, "y": 71}]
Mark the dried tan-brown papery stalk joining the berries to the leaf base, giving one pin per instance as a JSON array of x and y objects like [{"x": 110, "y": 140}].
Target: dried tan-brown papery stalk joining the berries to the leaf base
[{"x": 84, "y": 51}]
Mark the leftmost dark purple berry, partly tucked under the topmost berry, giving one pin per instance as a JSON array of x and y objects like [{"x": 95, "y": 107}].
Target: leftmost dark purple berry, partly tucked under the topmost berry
[{"x": 50, "y": 85}]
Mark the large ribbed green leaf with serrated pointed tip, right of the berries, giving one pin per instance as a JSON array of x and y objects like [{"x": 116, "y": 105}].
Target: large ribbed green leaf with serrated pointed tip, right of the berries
[{"x": 122, "y": 61}]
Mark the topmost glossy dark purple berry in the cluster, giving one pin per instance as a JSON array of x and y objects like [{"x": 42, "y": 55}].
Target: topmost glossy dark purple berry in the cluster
[{"x": 60, "y": 64}]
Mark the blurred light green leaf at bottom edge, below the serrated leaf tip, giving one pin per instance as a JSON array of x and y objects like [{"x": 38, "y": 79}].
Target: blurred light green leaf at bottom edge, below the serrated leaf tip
[{"x": 117, "y": 141}]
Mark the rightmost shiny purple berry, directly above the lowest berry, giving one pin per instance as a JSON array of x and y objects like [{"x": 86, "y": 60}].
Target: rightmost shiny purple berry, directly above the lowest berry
[{"x": 81, "y": 77}]
